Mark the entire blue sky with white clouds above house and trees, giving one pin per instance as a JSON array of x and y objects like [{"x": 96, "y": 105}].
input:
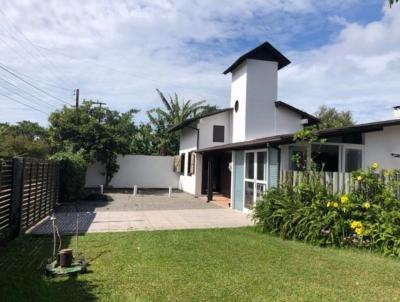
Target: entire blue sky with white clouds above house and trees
[{"x": 344, "y": 53}]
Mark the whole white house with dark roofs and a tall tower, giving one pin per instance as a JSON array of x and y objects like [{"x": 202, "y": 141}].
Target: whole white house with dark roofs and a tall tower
[{"x": 238, "y": 152}]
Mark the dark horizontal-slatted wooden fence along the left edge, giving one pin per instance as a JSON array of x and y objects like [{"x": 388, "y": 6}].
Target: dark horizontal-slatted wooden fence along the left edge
[{"x": 29, "y": 190}]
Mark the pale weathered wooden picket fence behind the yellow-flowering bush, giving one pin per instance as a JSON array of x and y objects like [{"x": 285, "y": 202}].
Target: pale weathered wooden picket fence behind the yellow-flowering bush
[{"x": 334, "y": 182}]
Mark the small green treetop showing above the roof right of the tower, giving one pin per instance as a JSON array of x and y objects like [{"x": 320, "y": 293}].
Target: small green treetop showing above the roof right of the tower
[{"x": 331, "y": 118}]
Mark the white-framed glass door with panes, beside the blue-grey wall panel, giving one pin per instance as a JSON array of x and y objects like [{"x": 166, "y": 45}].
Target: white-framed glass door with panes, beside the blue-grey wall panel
[{"x": 256, "y": 175}]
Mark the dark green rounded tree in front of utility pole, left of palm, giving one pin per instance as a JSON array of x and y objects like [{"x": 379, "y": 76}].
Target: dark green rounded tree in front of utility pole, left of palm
[{"x": 100, "y": 133}]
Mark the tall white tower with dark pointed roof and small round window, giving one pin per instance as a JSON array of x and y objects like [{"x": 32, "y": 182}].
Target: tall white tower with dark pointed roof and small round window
[{"x": 254, "y": 92}]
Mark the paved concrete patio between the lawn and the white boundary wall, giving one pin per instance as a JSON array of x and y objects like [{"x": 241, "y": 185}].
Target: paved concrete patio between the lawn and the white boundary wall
[{"x": 147, "y": 211}]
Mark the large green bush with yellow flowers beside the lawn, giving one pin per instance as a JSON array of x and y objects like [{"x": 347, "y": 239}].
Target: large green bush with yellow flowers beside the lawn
[{"x": 368, "y": 217}]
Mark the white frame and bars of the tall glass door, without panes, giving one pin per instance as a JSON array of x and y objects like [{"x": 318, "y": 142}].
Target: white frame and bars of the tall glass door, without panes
[{"x": 255, "y": 181}]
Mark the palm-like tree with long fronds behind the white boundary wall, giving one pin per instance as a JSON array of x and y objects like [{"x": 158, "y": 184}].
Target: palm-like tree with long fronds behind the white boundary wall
[{"x": 173, "y": 113}]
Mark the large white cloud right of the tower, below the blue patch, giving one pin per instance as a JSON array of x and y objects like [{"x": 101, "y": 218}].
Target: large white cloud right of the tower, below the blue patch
[{"x": 358, "y": 71}]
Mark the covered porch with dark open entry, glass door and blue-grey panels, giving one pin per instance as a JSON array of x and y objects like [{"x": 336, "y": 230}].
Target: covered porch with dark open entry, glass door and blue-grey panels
[{"x": 237, "y": 177}]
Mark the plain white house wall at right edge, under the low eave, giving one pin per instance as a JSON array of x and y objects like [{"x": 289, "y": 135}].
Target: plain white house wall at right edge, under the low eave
[{"x": 380, "y": 144}]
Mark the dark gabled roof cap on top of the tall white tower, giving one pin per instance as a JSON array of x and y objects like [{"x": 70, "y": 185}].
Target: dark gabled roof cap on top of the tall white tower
[{"x": 264, "y": 52}]
